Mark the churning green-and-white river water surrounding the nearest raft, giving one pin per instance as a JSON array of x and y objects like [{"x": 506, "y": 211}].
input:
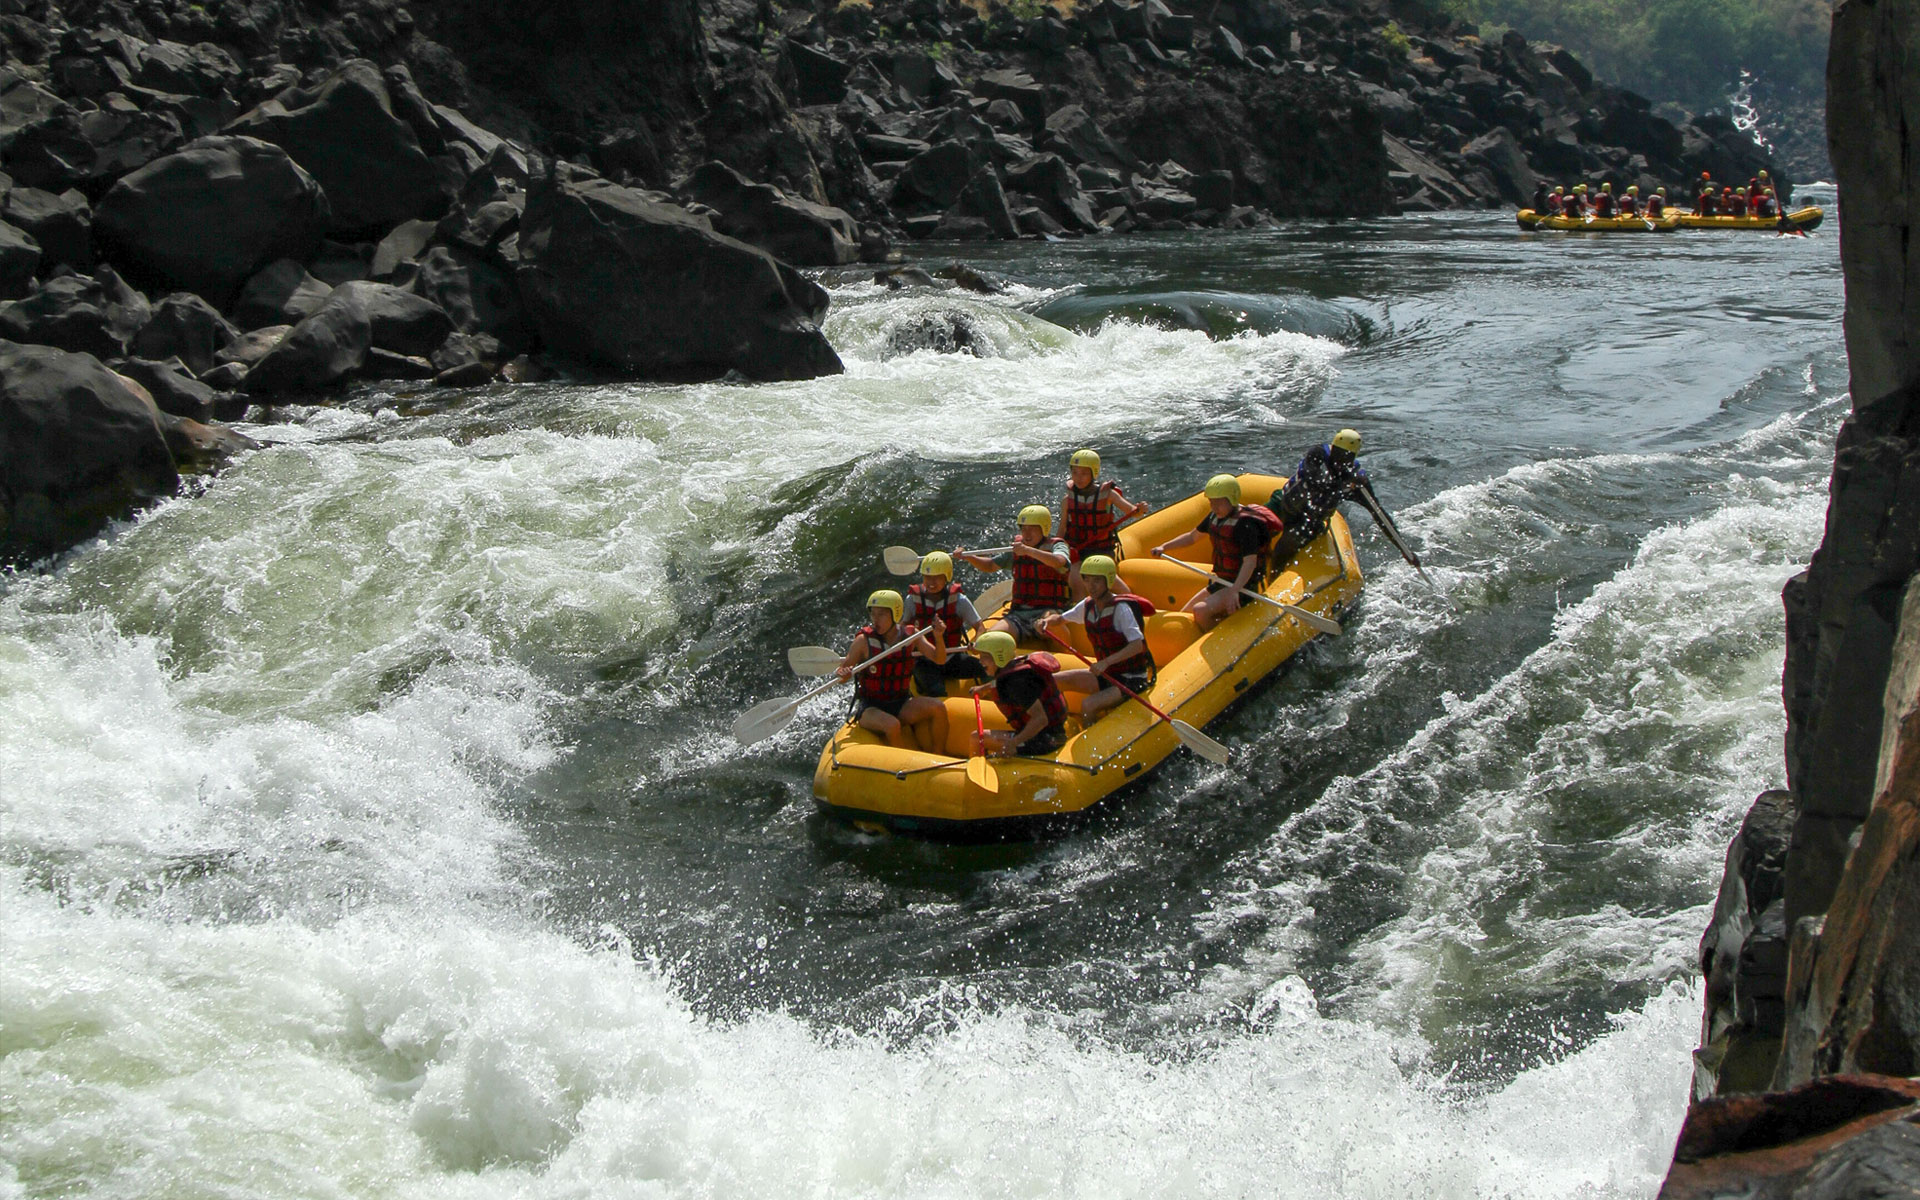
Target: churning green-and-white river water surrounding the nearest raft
[{"x": 370, "y": 825}]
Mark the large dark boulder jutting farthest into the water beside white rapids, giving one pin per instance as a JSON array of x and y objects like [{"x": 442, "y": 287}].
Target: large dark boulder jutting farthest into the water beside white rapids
[{"x": 621, "y": 281}]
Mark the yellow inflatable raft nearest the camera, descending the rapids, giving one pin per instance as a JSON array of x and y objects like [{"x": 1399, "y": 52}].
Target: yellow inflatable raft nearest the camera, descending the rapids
[{"x": 1201, "y": 675}]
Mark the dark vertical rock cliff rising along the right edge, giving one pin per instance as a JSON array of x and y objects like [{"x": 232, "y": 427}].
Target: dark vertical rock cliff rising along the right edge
[{"x": 1804, "y": 1084}]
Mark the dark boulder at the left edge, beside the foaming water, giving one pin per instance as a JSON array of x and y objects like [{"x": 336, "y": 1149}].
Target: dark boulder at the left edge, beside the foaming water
[{"x": 78, "y": 450}]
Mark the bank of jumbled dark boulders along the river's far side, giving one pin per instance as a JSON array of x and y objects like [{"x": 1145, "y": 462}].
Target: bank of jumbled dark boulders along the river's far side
[{"x": 264, "y": 201}]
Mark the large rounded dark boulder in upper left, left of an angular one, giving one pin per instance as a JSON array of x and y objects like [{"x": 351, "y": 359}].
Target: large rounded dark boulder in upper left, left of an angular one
[{"x": 264, "y": 206}]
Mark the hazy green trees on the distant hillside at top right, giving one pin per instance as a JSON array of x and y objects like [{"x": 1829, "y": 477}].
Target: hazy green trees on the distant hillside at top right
[{"x": 1685, "y": 51}]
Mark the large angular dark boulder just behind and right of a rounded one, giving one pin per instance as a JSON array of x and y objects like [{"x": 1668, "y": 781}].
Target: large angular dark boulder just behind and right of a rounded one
[{"x": 345, "y": 133}]
